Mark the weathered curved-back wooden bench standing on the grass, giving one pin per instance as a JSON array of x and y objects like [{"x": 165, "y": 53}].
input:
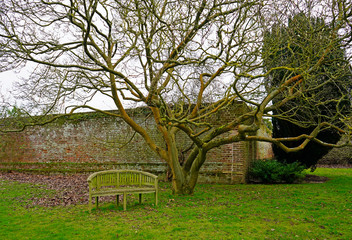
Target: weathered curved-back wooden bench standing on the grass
[{"x": 117, "y": 182}]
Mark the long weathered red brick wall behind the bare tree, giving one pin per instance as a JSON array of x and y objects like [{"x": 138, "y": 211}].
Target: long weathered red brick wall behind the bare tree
[{"x": 107, "y": 140}]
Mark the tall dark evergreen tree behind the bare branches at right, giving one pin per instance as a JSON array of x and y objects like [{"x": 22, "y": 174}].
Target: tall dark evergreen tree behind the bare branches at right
[{"x": 307, "y": 47}]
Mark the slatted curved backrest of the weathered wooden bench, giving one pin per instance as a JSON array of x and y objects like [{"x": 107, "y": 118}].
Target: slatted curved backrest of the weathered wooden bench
[{"x": 120, "y": 178}]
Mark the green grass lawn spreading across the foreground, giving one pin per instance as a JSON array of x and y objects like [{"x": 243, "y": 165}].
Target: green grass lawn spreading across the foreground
[{"x": 298, "y": 211}]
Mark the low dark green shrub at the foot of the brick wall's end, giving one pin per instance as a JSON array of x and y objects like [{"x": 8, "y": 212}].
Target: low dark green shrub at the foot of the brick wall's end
[{"x": 272, "y": 171}]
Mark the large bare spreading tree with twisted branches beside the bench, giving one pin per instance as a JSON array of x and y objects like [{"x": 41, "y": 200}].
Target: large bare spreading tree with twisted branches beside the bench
[{"x": 184, "y": 60}]
